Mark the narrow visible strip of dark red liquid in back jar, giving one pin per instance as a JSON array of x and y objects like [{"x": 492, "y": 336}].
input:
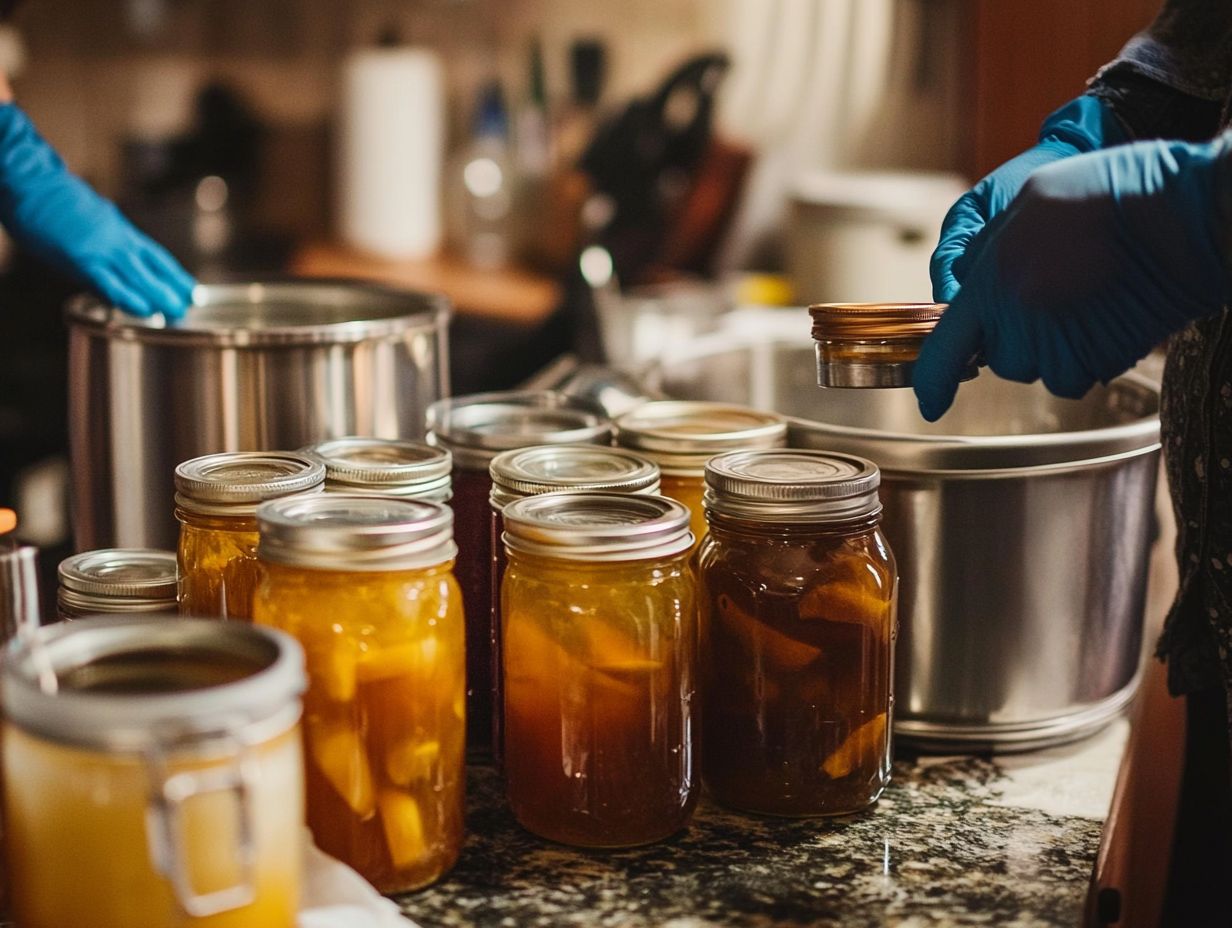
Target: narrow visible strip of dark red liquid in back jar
[{"x": 472, "y": 516}]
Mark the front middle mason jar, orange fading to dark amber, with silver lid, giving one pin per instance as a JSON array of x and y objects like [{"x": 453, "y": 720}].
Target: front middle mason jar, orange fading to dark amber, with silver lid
[{"x": 599, "y": 645}]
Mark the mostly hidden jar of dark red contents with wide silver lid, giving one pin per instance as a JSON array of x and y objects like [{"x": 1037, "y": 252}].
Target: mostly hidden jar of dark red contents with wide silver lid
[{"x": 477, "y": 428}]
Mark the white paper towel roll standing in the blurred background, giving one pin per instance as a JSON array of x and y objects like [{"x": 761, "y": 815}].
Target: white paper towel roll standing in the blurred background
[{"x": 392, "y": 146}]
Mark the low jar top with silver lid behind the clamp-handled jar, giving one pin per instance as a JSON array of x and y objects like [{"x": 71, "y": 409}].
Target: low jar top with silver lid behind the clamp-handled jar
[{"x": 111, "y": 581}]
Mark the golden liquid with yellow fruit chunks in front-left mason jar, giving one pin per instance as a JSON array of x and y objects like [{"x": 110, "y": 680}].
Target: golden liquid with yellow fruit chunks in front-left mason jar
[{"x": 384, "y": 714}]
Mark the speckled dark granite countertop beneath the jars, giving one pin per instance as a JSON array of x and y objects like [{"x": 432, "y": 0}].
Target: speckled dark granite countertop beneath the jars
[{"x": 968, "y": 841}]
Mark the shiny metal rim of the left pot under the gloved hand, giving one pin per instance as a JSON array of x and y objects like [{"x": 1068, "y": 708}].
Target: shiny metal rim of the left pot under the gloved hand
[{"x": 402, "y": 311}]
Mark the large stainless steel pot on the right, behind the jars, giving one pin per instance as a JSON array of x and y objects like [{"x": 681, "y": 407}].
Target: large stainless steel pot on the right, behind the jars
[{"x": 1022, "y": 524}]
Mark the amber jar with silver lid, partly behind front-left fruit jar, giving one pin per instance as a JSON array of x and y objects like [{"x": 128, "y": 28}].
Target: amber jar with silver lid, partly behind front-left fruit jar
[{"x": 216, "y": 503}]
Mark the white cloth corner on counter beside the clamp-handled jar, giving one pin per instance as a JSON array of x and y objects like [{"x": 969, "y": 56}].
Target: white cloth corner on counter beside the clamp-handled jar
[{"x": 336, "y": 897}]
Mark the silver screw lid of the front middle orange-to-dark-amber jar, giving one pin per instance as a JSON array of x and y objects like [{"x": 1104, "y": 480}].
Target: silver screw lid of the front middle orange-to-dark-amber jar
[{"x": 597, "y": 527}]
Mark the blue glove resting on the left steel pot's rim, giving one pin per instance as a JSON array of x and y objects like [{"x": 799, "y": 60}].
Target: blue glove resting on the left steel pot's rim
[{"x": 59, "y": 218}]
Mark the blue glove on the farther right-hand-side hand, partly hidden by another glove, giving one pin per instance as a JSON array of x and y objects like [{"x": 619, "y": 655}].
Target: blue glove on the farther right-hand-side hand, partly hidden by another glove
[{"x": 1082, "y": 125}]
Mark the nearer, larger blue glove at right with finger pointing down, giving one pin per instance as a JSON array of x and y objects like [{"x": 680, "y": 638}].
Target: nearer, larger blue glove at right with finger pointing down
[{"x": 1098, "y": 259}]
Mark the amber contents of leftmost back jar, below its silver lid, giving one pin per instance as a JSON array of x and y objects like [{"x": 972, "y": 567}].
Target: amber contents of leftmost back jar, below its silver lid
[{"x": 219, "y": 568}]
